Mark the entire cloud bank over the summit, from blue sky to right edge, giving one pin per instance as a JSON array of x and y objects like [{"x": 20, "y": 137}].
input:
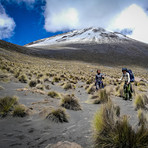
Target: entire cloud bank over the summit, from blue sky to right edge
[{"x": 110, "y": 14}]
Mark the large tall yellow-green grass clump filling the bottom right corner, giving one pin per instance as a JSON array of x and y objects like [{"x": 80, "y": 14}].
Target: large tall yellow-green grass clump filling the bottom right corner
[{"x": 110, "y": 131}]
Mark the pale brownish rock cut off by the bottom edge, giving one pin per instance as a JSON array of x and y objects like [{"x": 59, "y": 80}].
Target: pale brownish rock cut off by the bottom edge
[{"x": 64, "y": 144}]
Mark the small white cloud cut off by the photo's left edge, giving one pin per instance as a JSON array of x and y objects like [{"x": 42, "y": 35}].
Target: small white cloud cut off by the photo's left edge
[{"x": 7, "y": 24}]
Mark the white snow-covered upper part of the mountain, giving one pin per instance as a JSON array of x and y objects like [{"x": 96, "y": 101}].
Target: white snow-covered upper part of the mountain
[{"x": 87, "y": 35}]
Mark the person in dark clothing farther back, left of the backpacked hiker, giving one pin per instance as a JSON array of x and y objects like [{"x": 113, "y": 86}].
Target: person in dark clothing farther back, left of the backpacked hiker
[{"x": 98, "y": 80}]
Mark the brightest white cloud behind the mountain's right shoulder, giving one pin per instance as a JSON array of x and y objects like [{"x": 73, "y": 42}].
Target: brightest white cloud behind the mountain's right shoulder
[{"x": 134, "y": 18}]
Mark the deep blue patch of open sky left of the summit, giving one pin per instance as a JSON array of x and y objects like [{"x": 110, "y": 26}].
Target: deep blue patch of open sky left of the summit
[{"x": 29, "y": 22}]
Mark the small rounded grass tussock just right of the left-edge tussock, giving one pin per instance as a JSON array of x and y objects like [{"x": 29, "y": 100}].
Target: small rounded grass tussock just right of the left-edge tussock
[{"x": 19, "y": 111}]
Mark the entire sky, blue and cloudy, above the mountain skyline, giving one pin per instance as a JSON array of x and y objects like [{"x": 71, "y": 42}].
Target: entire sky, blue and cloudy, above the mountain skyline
[{"x": 24, "y": 21}]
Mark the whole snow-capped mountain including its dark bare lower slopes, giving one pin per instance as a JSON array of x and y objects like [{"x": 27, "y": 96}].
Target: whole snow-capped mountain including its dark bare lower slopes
[{"x": 94, "y": 45}]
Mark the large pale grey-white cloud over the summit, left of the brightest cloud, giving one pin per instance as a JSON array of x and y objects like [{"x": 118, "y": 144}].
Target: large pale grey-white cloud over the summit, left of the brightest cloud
[{"x": 73, "y": 14}]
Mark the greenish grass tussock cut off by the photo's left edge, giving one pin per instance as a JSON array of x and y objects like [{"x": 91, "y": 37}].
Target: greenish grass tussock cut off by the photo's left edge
[{"x": 7, "y": 104}]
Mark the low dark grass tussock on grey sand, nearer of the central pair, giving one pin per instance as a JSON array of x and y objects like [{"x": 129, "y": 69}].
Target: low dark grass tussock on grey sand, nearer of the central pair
[{"x": 58, "y": 115}]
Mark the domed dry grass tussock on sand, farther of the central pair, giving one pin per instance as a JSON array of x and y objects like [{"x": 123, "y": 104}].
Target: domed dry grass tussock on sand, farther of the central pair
[{"x": 70, "y": 102}]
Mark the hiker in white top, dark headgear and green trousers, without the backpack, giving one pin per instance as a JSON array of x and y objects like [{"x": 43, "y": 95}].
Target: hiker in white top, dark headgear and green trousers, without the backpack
[{"x": 127, "y": 85}]
